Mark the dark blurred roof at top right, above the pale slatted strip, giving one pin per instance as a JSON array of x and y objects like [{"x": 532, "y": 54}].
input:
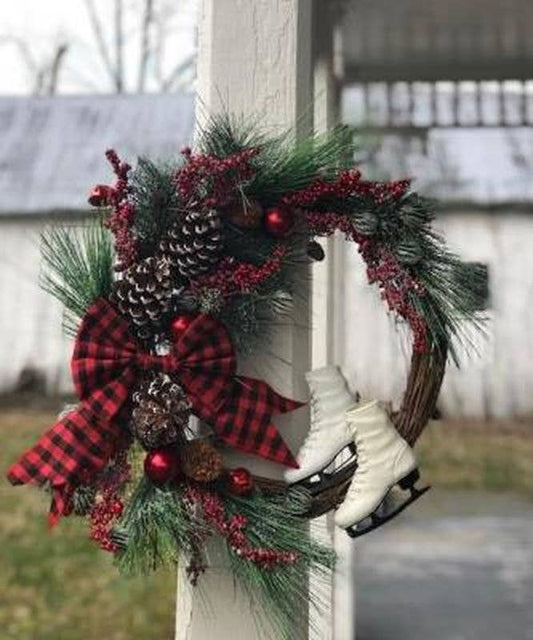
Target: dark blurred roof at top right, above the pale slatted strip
[{"x": 431, "y": 40}]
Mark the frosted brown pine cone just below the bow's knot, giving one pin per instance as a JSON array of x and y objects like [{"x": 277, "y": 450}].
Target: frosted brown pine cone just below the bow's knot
[{"x": 161, "y": 412}]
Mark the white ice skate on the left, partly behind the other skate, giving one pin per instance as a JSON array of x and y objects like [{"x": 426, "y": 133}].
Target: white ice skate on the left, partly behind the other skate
[{"x": 329, "y": 433}]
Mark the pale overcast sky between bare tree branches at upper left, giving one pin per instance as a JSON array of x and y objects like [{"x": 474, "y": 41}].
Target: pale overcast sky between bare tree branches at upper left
[{"x": 42, "y": 24}]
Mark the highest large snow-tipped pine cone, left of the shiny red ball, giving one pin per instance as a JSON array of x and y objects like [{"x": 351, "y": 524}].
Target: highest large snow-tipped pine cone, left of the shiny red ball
[{"x": 194, "y": 243}]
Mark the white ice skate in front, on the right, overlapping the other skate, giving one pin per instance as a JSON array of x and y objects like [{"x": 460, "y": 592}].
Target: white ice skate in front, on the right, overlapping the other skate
[{"x": 384, "y": 459}]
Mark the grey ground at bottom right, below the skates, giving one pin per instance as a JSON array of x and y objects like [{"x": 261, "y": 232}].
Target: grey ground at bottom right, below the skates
[{"x": 457, "y": 566}]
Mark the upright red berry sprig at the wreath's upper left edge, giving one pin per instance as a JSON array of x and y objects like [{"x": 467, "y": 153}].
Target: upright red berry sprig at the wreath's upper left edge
[{"x": 121, "y": 220}]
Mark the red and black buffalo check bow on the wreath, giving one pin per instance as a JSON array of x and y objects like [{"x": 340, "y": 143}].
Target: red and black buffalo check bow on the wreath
[{"x": 106, "y": 366}]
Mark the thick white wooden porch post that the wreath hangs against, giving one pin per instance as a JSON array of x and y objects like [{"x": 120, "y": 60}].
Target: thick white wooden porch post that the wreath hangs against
[{"x": 254, "y": 59}]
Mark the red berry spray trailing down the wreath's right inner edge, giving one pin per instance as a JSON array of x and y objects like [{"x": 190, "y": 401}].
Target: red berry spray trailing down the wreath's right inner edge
[{"x": 396, "y": 283}]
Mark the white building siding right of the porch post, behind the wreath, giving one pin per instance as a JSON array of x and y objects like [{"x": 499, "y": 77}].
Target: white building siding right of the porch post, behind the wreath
[{"x": 496, "y": 378}]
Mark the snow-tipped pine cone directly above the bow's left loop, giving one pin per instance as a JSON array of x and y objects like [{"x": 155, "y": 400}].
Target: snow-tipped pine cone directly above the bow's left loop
[{"x": 143, "y": 295}]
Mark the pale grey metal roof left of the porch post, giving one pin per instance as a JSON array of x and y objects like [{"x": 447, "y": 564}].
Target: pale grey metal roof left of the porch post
[{"x": 52, "y": 149}]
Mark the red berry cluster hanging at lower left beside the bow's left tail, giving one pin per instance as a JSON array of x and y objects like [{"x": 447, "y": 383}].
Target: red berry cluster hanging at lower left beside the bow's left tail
[{"x": 109, "y": 505}]
